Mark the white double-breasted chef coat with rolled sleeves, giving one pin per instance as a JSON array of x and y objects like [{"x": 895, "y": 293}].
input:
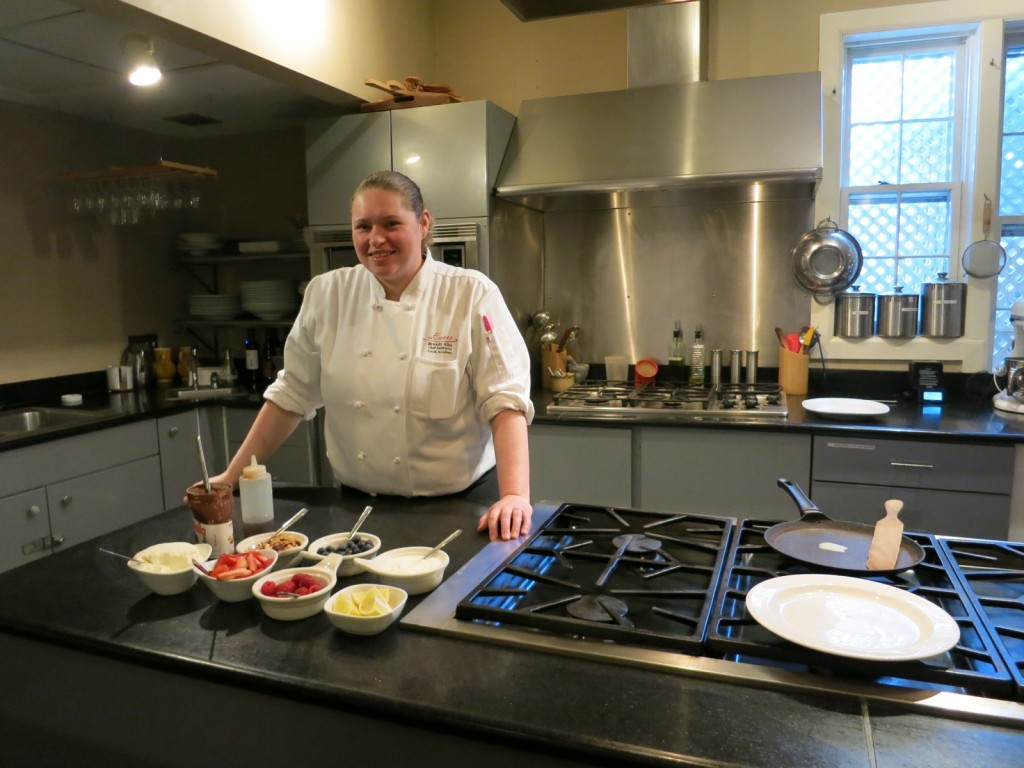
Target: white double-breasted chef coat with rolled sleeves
[{"x": 411, "y": 387}]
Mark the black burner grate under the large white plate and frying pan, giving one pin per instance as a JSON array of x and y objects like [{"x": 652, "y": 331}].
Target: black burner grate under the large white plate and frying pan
[{"x": 973, "y": 666}]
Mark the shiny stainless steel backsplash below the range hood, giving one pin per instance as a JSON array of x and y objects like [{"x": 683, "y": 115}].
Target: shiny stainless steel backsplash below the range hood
[{"x": 626, "y": 275}]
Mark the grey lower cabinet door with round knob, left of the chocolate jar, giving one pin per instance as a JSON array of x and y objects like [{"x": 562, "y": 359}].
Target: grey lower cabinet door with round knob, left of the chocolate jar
[{"x": 101, "y": 502}]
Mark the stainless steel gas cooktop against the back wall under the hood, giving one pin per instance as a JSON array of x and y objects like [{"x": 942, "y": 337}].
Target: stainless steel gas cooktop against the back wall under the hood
[{"x": 609, "y": 400}]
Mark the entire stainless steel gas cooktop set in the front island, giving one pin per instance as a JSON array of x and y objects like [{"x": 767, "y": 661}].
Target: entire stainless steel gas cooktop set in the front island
[{"x": 667, "y": 591}]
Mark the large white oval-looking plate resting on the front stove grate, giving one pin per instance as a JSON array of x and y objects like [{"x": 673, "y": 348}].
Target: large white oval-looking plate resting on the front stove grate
[{"x": 854, "y": 618}]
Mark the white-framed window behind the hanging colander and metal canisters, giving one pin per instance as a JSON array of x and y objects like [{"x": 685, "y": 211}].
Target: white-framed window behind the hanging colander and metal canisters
[{"x": 926, "y": 105}]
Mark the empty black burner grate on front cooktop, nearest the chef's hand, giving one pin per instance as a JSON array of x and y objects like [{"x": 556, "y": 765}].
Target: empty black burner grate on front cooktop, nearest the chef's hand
[{"x": 625, "y": 576}]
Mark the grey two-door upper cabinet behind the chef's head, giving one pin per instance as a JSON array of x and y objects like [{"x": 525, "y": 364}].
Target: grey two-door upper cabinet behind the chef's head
[{"x": 453, "y": 152}]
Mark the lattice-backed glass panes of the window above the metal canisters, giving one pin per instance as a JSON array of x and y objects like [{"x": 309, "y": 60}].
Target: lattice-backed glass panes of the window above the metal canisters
[{"x": 901, "y": 162}]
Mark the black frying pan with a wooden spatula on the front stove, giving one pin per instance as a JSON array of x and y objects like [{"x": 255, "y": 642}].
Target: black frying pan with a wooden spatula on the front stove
[{"x": 846, "y": 543}]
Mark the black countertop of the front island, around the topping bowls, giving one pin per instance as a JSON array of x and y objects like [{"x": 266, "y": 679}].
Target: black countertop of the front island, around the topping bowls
[{"x": 574, "y": 710}]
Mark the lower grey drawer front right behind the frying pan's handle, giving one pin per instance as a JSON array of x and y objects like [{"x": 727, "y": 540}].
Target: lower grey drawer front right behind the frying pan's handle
[{"x": 942, "y": 513}]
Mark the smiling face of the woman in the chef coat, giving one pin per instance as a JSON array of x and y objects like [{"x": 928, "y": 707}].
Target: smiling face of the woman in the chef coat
[{"x": 389, "y": 238}]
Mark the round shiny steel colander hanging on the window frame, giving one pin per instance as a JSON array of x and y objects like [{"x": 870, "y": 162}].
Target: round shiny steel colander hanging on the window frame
[{"x": 827, "y": 261}]
